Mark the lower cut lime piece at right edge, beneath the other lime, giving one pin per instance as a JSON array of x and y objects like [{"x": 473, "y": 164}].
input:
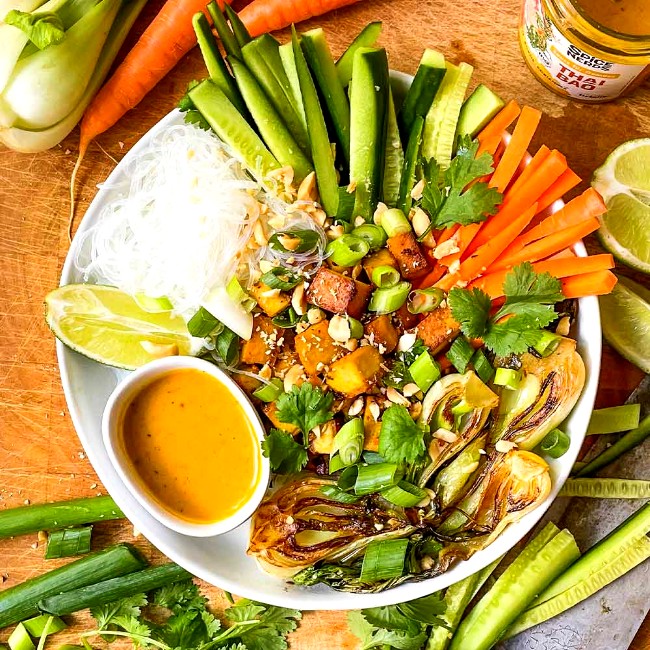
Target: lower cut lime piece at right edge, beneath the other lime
[{"x": 625, "y": 316}]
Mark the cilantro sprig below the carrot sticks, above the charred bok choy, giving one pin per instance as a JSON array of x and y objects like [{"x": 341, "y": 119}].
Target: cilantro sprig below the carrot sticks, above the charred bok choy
[{"x": 518, "y": 324}]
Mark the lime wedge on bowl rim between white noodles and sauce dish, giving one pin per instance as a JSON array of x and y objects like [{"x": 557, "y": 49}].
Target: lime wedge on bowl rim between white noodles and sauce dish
[{"x": 109, "y": 326}]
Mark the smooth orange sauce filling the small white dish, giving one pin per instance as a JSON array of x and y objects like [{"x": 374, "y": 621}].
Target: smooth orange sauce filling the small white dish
[{"x": 192, "y": 446}]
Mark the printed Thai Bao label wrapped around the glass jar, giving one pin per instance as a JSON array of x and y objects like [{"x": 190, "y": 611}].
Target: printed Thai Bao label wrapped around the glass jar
[{"x": 576, "y": 73}]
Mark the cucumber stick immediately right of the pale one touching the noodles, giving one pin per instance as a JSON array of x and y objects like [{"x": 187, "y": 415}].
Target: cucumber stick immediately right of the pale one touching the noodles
[{"x": 270, "y": 125}]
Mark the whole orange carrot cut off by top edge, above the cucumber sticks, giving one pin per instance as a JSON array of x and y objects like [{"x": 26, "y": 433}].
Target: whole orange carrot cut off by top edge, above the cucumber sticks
[{"x": 262, "y": 16}]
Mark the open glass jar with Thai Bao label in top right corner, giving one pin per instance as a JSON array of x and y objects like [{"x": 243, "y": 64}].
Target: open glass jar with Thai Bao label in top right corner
[{"x": 575, "y": 56}]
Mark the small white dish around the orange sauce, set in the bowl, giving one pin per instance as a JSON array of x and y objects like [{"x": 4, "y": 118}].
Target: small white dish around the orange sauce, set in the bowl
[{"x": 112, "y": 422}]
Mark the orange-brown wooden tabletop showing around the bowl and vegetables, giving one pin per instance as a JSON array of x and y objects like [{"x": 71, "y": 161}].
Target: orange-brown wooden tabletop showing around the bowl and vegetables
[{"x": 41, "y": 458}]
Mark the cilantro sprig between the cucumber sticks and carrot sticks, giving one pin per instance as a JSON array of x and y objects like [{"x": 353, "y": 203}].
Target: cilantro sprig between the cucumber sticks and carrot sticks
[{"x": 445, "y": 197}]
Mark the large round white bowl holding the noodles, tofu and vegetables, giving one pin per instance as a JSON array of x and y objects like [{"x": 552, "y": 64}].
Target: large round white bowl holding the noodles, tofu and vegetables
[{"x": 222, "y": 560}]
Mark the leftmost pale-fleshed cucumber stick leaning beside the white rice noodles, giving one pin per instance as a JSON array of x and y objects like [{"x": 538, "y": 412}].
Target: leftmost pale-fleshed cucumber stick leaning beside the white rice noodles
[{"x": 233, "y": 129}]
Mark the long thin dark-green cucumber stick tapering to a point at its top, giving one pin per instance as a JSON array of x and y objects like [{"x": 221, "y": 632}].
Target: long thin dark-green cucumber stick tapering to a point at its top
[{"x": 321, "y": 150}]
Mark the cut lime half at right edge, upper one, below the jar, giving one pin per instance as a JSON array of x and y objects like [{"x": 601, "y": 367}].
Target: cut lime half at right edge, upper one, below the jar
[{"x": 624, "y": 183}]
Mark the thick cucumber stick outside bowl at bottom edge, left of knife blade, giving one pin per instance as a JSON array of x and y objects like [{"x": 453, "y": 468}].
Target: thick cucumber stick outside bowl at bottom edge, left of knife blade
[{"x": 541, "y": 561}]
